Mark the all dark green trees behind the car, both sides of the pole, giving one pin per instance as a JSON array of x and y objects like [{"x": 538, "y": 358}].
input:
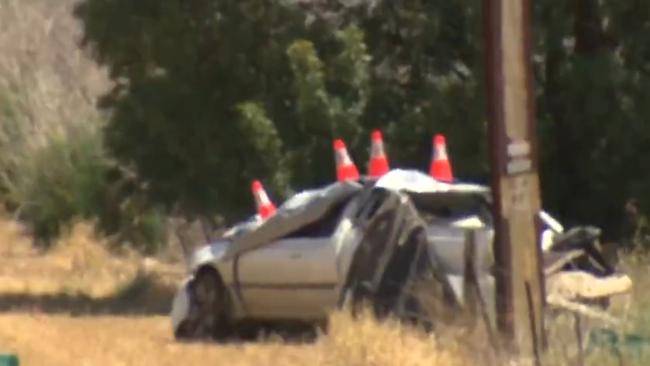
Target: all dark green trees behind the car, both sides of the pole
[{"x": 208, "y": 94}]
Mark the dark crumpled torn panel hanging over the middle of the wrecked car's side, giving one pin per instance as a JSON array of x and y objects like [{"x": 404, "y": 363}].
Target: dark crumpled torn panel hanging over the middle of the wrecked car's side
[{"x": 394, "y": 268}]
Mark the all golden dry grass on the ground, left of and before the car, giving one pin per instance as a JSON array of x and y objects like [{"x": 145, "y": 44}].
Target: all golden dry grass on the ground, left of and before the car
[{"x": 80, "y": 264}]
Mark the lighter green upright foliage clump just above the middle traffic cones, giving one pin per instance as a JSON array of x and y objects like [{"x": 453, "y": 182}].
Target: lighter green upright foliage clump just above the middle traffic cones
[{"x": 330, "y": 101}]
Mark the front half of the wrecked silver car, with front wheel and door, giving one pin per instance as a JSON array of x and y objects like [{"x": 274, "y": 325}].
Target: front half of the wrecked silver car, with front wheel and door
[{"x": 286, "y": 267}]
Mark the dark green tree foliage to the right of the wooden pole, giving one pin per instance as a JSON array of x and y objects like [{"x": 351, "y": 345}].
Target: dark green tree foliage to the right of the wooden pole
[{"x": 592, "y": 108}]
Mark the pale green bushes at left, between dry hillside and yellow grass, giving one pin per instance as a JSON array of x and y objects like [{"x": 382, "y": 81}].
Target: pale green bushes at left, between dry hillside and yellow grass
[{"x": 72, "y": 178}]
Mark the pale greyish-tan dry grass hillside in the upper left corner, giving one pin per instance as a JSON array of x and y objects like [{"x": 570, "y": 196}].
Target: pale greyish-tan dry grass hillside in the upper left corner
[{"x": 50, "y": 82}]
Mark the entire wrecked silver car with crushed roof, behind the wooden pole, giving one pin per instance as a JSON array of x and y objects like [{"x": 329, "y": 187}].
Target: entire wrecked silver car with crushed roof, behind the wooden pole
[{"x": 398, "y": 243}]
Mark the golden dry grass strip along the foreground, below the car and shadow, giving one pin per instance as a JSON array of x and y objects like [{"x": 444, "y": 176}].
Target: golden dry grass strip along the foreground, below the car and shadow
[{"x": 62, "y": 340}]
